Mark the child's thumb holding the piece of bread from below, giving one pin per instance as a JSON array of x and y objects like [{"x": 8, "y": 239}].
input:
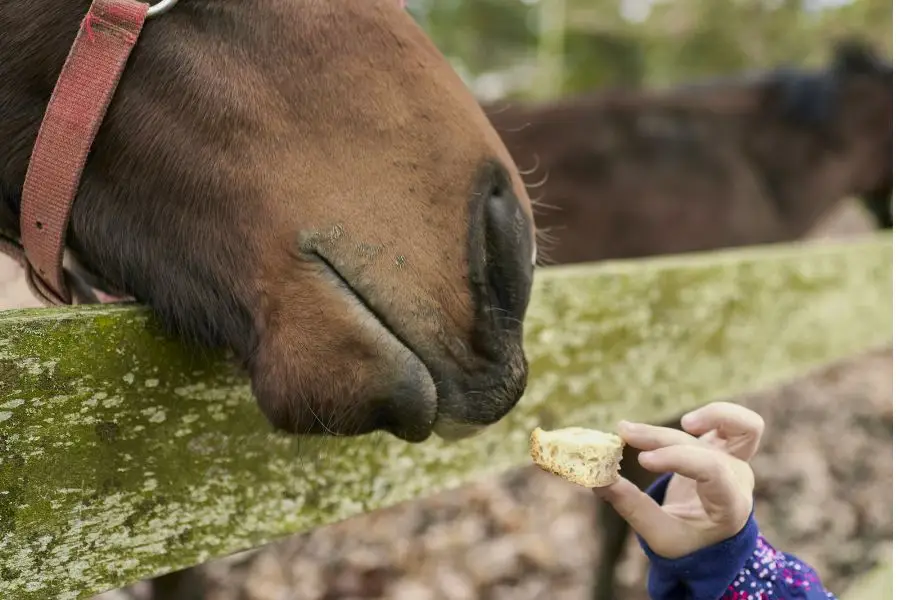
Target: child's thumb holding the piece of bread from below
[{"x": 640, "y": 511}]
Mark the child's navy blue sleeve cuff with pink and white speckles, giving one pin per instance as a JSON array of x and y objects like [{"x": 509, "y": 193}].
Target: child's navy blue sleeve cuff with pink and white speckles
[{"x": 743, "y": 567}]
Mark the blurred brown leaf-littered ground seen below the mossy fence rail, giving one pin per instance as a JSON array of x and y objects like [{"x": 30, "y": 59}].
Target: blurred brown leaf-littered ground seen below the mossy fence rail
[{"x": 824, "y": 493}]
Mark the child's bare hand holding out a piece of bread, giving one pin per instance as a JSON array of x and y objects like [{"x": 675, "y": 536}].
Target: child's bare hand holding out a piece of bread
[{"x": 710, "y": 497}]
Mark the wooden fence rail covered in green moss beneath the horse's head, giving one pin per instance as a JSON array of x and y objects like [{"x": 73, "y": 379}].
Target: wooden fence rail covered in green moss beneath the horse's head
[{"x": 124, "y": 454}]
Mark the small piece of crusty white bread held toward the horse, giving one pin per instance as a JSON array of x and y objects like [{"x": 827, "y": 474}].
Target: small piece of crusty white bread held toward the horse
[{"x": 584, "y": 456}]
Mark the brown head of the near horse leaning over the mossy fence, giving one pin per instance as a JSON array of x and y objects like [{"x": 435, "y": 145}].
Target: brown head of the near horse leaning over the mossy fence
[{"x": 308, "y": 184}]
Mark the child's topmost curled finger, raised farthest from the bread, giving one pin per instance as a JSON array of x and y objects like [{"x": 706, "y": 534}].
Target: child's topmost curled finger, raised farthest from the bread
[{"x": 740, "y": 427}]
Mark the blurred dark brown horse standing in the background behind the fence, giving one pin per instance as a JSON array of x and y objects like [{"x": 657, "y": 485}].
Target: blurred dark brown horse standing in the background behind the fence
[{"x": 717, "y": 164}]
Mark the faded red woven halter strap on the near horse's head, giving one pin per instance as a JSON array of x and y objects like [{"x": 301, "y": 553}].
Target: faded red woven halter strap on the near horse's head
[{"x": 77, "y": 107}]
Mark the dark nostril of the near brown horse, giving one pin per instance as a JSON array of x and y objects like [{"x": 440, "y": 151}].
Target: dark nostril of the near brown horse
[{"x": 508, "y": 251}]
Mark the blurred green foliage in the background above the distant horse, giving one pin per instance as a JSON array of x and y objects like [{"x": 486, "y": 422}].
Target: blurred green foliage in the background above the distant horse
[{"x": 676, "y": 40}]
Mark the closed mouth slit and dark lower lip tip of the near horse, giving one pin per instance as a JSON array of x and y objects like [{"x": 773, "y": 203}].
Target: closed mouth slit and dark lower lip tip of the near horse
[{"x": 421, "y": 429}]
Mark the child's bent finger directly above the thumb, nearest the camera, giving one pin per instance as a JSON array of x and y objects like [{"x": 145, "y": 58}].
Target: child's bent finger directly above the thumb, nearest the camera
[{"x": 717, "y": 485}]
